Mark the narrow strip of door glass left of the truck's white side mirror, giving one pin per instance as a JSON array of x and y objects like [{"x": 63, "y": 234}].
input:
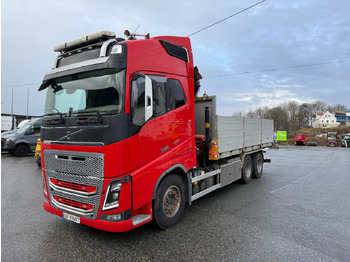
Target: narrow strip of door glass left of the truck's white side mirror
[{"x": 138, "y": 101}]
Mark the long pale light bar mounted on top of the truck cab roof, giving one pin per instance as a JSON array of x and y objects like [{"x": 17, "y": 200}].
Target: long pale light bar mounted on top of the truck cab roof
[{"x": 97, "y": 37}]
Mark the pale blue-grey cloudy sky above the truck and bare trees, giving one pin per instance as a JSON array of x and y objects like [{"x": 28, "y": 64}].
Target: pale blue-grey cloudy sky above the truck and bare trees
[{"x": 310, "y": 39}]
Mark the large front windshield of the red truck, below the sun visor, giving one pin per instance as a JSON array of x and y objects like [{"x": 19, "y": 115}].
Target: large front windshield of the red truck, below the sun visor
[{"x": 99, "y": 91}]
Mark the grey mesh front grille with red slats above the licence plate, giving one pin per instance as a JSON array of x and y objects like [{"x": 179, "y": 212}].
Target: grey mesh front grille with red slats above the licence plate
[{"x": 75, "y": 181}]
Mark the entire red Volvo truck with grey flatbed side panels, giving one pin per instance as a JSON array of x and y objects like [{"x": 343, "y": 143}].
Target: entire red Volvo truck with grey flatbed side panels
[{"x": 125, "y": 141}]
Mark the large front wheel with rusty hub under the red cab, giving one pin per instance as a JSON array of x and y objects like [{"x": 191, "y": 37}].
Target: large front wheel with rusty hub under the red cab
[{"x": 169, "y": 204}]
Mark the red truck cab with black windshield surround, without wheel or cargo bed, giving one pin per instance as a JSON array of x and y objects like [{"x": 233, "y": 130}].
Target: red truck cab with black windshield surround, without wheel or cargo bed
[{"x": 118, "y": 115}]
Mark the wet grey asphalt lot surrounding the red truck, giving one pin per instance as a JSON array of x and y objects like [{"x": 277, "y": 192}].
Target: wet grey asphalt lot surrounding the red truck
[{"x": 298, "y": 210}]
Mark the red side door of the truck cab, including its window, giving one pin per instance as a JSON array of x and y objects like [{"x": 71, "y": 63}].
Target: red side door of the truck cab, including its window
[{"x": 152, "y": 130}]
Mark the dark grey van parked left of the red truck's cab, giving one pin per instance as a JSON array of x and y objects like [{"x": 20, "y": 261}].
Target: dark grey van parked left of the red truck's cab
[{"x": 23, "y": 140}]
